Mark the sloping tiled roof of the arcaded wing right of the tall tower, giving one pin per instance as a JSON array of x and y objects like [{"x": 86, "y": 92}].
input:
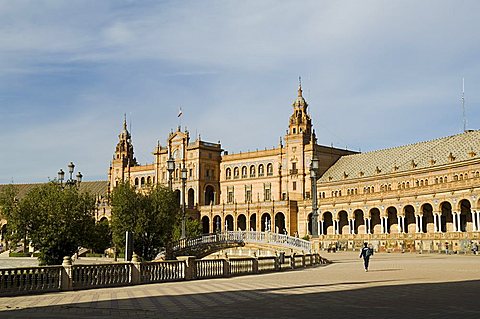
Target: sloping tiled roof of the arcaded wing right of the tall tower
[{"x": 451, "y": 149}]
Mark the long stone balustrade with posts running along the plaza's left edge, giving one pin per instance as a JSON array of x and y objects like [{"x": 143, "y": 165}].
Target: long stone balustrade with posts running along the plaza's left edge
[{"x": 73, "y": 277}]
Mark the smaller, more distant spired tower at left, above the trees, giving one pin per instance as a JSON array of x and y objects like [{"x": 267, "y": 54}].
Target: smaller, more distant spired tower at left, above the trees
[{"x": 123, "y": 158}]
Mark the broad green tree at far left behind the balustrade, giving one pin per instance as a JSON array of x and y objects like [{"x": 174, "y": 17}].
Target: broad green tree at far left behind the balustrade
[{"x": 56, "y": 221}]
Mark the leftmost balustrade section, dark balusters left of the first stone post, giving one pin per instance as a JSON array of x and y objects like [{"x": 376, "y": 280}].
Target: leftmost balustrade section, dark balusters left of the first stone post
[{"x": 24, "y": 280}]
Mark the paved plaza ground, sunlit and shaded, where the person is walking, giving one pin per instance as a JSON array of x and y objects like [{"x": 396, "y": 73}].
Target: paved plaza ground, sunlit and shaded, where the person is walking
[{"x": 397, "y": 286}]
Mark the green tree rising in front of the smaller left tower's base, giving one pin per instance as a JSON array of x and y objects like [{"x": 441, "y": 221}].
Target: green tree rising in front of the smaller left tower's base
[{"x": 150, "y": 216}]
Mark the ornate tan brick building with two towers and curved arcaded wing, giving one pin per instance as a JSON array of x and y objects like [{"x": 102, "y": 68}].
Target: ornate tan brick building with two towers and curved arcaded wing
[{"x": 423, "y": 196}]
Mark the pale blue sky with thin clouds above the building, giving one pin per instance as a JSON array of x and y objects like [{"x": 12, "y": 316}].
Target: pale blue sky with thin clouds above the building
[{"x": 376, "y": 74}]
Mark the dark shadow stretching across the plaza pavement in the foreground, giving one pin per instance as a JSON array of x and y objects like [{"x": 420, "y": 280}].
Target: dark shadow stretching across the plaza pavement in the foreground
[{"x": 434, "y": 300}]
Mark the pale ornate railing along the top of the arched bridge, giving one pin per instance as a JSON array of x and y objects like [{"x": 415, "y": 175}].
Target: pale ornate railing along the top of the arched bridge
[{"x": 246, "y": 237}]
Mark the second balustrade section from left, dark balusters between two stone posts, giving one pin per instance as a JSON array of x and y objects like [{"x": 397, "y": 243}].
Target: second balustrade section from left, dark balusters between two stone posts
[{"x": 86, "y": 276}]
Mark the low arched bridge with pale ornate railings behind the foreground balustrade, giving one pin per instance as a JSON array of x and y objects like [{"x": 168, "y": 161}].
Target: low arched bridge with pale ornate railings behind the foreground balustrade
[{"x": 207, "y": 244}]
